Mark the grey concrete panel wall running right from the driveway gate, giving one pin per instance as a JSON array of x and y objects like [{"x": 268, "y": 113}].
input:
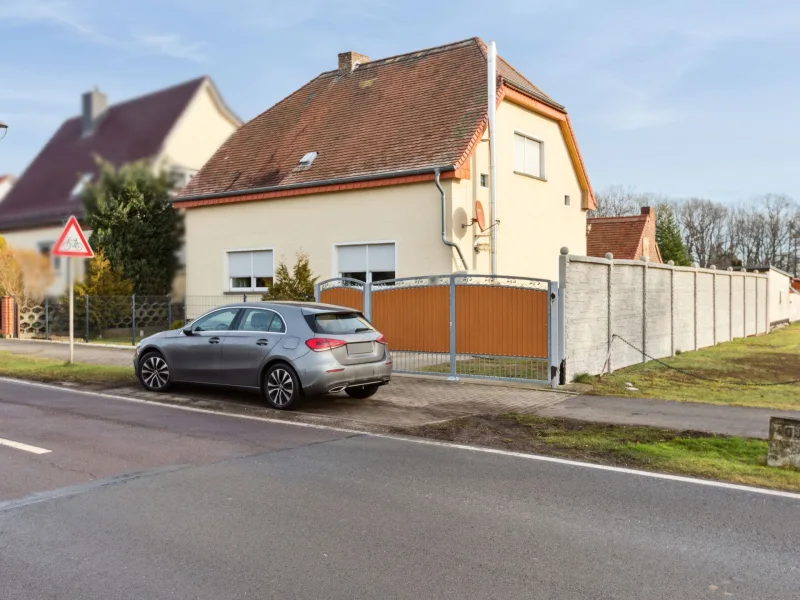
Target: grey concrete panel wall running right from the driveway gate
[{"x": 654, "y": 309}]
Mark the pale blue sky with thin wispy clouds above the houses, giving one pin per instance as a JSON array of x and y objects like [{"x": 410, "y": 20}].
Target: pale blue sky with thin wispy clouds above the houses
[{"x": 677, "y": 97}]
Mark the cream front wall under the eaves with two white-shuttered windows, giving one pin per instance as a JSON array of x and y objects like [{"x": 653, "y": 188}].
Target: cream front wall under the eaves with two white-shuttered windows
[{"x": 408, "y": 215}]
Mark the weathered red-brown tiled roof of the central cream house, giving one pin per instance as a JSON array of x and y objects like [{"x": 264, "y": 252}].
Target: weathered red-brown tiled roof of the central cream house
[{"x": 387, "y": 118}]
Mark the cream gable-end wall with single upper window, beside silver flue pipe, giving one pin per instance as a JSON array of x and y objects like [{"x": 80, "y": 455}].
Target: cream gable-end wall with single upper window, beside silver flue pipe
[{"x": 534, "y": 221}]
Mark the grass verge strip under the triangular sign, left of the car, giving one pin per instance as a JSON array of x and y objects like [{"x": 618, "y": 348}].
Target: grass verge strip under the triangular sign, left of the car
[{"x": 49, "y": 370}]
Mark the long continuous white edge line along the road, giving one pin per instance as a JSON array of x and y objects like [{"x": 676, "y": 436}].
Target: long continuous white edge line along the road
[{"x": 536, "y": 457}]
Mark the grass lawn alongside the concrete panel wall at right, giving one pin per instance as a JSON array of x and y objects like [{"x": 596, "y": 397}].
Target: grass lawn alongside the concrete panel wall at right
[{"x": 764, "y": 359}]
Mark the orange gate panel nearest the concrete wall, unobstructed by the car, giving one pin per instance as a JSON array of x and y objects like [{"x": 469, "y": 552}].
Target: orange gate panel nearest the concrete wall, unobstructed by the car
[{"x": 501, "y": 321}]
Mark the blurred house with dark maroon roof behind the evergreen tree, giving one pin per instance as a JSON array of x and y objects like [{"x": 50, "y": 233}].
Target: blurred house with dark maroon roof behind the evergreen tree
[{"x": 177, "y": 128}]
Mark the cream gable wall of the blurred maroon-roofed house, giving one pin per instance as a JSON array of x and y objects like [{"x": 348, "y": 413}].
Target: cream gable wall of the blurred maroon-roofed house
[{"x": 200, "y": 131}]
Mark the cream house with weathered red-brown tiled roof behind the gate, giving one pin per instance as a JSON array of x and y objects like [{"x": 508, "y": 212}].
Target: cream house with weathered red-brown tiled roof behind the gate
[{"x": 344, "y": 170}]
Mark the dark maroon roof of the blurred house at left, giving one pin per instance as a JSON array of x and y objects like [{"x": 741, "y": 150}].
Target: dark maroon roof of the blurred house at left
[{"x": 129, "y": 131}]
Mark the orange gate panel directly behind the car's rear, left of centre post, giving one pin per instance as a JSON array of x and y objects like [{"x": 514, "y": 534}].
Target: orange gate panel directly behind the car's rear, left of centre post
[{"x": 414, "y": 319}]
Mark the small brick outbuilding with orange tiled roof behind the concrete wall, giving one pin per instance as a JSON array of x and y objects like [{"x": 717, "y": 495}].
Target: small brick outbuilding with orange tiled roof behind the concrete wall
[{"x": 628, "y": 238}]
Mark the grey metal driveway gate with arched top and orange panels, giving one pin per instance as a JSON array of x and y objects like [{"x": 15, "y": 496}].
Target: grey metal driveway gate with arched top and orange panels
[{"x": 461, "y": 325}]
